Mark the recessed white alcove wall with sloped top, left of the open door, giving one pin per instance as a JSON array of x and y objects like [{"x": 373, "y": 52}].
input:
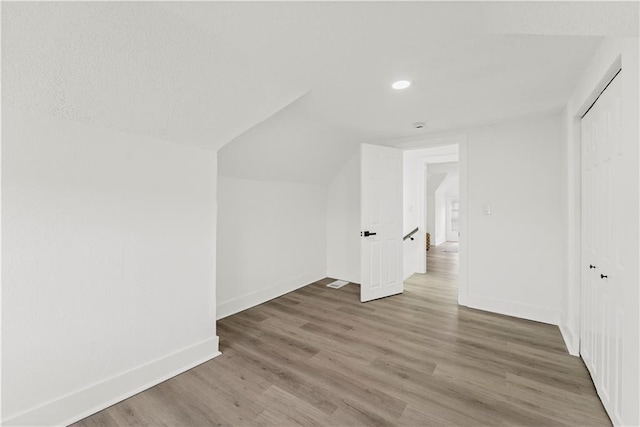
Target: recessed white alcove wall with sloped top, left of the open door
[{"x": 272, "y": 208}]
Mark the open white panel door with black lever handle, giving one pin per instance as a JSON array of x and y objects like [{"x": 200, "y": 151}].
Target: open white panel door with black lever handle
[{"x": 381, "y": 222}]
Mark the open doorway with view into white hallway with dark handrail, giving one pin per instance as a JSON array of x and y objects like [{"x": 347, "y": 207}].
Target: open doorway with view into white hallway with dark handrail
[{"x": 434, "y": 190}]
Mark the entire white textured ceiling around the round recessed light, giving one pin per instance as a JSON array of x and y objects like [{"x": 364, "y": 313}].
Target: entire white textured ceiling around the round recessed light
[{"x": 203, "y": 73}]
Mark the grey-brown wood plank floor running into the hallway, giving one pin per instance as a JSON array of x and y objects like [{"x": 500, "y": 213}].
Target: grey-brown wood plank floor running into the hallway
[{"x": 317, "y": 356}]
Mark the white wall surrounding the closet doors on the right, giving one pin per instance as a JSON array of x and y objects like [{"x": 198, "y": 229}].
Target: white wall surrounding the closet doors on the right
[{"x": 611, "y": 54}]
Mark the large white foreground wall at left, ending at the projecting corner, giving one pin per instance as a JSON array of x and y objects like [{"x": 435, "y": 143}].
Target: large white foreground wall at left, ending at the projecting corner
[{"x": 108, "y": 278}]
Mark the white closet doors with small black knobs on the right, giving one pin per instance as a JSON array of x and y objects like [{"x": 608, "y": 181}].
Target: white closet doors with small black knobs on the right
[{"x": 605, "y": 205}]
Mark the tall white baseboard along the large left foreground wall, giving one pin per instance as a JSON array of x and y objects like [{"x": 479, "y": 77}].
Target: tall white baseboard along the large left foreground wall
[{"x": 82, "y": 403}]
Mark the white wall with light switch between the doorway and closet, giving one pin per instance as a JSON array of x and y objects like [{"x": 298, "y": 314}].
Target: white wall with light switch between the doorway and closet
[{"x": 515, "y": 256}]
